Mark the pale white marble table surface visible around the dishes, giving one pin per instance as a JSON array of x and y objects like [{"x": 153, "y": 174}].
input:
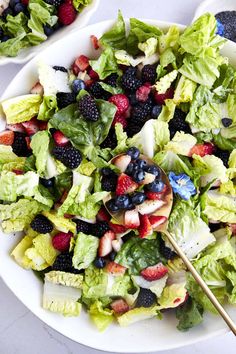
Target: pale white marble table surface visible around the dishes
[{"x": 20, "y": 331}]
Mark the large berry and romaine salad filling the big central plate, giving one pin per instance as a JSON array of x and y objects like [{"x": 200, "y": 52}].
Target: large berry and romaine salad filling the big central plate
[{"x": 89, "y": 143}]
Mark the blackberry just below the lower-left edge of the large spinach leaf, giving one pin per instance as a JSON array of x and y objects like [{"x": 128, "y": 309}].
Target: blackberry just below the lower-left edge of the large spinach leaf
[{"x": 69, "y": 156}]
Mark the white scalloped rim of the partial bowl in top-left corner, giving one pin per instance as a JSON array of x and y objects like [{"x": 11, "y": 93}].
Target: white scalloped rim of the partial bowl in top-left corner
[{"x": 28, "y": 53}]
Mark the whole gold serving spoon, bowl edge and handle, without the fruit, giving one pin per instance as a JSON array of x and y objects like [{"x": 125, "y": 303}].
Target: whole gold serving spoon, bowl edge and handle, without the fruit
[{"x": 165, "y": 211}]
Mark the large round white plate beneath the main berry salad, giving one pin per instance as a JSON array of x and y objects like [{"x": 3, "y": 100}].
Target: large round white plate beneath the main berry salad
[{"x": 147, "y": 336}]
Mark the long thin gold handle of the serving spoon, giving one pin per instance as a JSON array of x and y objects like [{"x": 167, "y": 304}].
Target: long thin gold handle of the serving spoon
[{"x": 202, "y": 284}]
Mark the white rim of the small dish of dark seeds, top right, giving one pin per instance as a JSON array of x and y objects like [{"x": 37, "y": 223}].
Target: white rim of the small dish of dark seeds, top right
[{"x": 214, "y": 6}]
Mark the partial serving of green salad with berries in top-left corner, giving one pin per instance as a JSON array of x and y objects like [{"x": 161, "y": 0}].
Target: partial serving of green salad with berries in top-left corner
[{"x": 27, "y": 23}]
